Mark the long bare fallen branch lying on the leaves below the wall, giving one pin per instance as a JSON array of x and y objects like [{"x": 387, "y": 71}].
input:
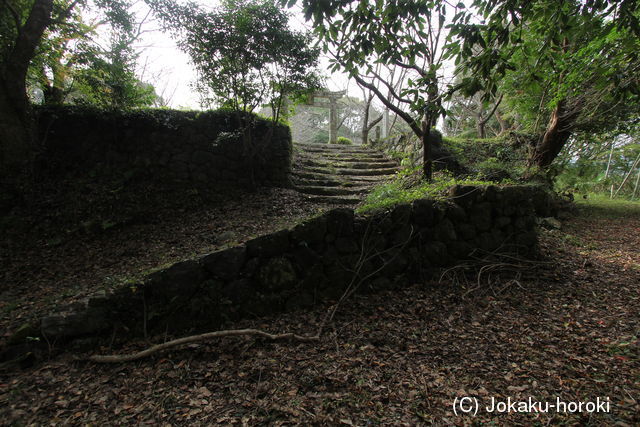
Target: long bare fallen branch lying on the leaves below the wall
[{"x": 203, "y": 337}]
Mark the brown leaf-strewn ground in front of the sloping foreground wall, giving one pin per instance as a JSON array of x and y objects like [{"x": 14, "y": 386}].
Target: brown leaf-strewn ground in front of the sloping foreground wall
[{"x": 565, "y": 328}]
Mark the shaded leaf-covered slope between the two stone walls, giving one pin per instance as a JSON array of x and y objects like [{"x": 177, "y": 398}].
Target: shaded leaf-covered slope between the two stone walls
[{"x": 73, "y": 239}]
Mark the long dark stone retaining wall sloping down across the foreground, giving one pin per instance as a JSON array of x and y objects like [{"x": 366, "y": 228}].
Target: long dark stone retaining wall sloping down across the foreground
[{"x": 314, "y": 261}]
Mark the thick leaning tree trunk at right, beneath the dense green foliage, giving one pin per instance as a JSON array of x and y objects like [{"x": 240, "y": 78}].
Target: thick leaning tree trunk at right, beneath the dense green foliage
[{"x": 557, "y": 134}]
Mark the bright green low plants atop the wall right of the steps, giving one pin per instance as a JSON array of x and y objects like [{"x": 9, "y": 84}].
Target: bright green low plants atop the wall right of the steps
[{"x": 408, "y": 185}]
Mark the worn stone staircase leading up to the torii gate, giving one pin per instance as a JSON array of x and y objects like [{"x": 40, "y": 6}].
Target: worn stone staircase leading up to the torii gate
[{"x": 341, "y": 174}]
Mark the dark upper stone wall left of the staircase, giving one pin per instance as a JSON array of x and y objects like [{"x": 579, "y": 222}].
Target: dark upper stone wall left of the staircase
[{"x": 202, "y": 148}]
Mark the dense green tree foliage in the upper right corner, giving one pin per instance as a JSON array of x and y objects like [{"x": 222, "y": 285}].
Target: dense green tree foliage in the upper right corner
[{"x": 541, "y": 55}]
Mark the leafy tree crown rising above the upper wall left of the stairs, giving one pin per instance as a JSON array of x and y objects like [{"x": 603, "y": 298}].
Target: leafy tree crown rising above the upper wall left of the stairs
[{"x": 244, "y": 51}]
